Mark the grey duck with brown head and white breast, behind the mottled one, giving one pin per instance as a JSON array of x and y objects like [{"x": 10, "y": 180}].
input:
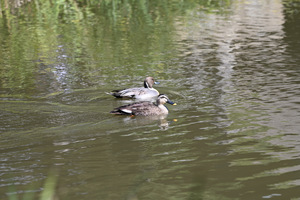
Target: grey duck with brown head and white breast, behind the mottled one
[{"x": 143, "y": 93}]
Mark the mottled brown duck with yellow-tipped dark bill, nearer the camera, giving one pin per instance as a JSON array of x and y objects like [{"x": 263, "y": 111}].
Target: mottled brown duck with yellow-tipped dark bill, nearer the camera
[{"x": 145, "y": 108}]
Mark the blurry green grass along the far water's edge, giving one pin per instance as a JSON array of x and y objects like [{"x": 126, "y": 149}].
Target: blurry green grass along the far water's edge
[{"x": 134, "y": 11}]
